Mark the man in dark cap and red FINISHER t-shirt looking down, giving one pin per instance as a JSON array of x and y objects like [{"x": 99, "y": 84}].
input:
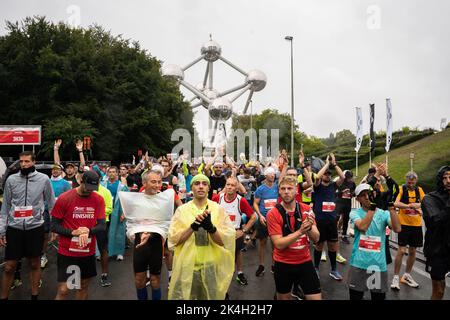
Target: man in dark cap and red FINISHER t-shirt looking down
[{"x": 77, "y": 217}]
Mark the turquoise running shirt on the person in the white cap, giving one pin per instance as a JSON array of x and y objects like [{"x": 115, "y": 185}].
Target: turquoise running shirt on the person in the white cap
[{"x": 369, "y": 248}]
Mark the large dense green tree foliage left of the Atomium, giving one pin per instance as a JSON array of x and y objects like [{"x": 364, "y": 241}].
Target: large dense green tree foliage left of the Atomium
[{"x": 78, "y": 82}]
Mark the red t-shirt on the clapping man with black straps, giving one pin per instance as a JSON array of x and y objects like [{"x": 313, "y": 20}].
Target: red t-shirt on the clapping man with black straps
[{"x": 296, "y": 253}]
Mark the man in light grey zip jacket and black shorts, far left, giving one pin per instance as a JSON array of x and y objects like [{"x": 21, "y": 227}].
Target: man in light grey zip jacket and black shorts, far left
[{"x": 22, "y": 221}]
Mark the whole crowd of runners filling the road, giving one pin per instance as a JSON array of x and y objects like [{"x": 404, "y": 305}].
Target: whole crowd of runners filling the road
[{"x": 199, "y": 216}]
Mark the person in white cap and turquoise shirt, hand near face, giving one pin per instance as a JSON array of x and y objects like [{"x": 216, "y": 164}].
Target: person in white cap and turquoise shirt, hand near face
[{"x": 368, "y": 268}]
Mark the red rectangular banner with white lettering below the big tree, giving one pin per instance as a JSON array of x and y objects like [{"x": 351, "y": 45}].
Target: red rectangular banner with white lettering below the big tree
[{"x": 16, "y": 135}]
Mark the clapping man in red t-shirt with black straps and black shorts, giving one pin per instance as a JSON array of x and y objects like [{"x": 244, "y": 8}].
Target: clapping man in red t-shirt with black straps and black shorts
[{"x": 291, "y": 227}]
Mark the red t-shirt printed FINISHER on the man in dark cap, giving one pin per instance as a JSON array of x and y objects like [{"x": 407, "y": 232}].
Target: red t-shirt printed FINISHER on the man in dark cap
[{"x": 76, "y": 211}]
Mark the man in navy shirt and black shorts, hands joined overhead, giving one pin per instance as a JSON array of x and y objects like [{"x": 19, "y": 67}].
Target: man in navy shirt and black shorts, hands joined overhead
[{"x": 324, "y": 198}]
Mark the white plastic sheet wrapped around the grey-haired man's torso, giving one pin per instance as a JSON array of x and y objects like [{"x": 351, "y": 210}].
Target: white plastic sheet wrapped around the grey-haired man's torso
[{"x": 146, "y": 213}]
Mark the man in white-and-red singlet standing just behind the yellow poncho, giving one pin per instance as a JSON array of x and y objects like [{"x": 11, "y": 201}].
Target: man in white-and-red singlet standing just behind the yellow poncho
[{"x": 236, "y": 205}]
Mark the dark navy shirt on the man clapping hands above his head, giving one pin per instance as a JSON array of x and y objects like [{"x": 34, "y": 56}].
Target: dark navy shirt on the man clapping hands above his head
[{"x": 324, "y": 199}]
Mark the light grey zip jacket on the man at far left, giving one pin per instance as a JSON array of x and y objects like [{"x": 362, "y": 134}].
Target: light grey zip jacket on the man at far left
[{"x": 32, "y": 190}]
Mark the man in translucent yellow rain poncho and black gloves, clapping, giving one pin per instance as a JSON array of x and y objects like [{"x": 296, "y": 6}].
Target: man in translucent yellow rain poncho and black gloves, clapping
[{"x": 203, "y": 239}]
